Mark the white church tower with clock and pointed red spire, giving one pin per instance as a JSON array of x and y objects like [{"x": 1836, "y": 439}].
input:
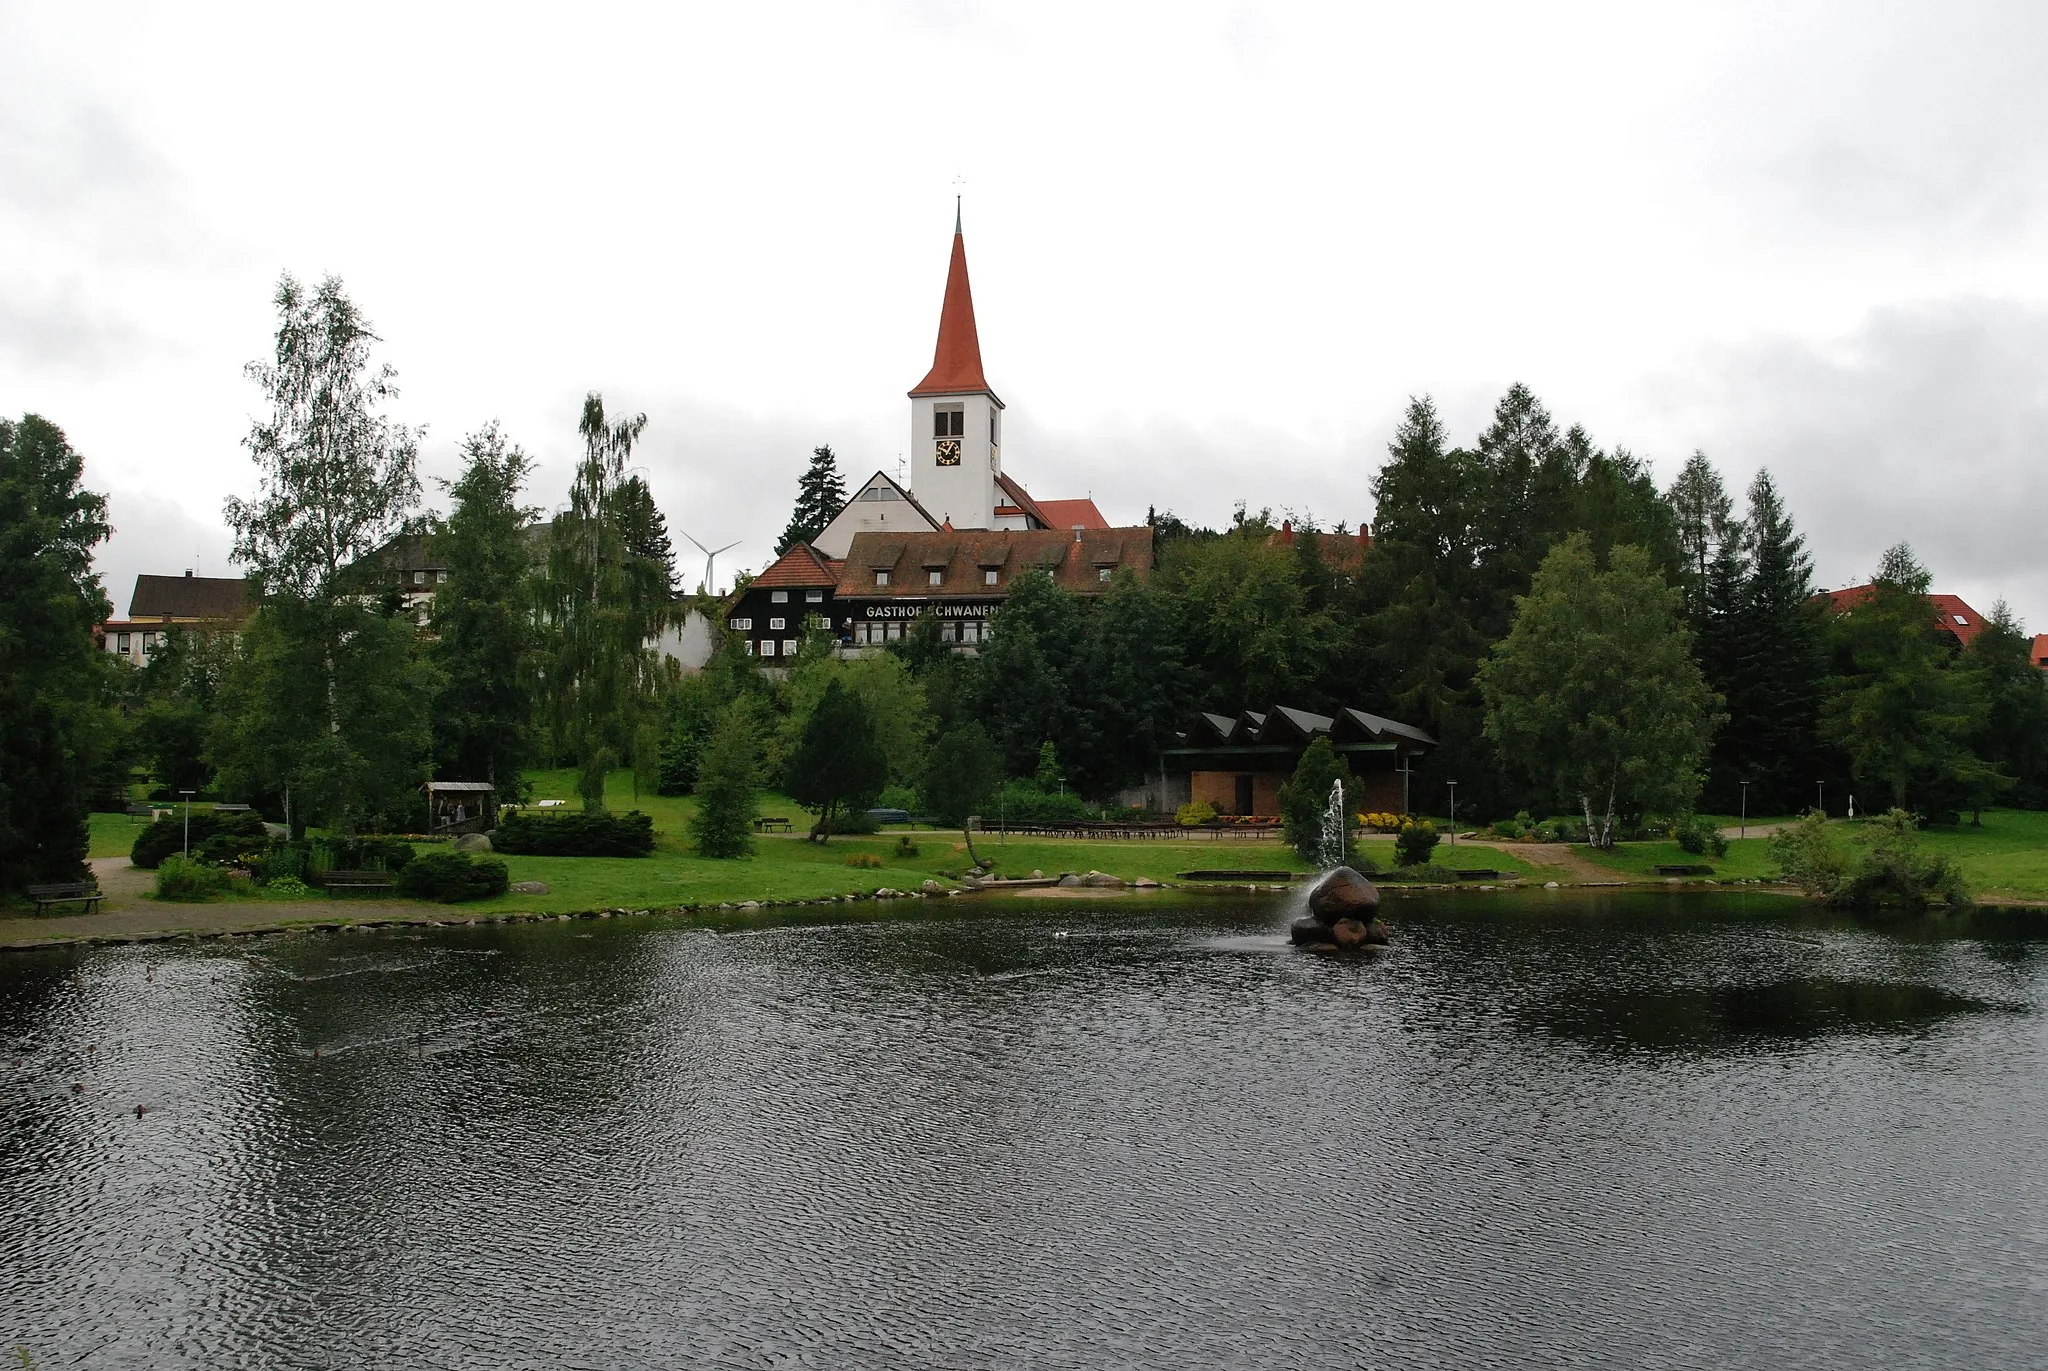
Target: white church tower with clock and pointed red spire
[{"x": 955, "y": 419}]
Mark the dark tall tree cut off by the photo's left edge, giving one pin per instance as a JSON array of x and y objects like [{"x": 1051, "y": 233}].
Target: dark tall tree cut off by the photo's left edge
[{"x": 50, "y": 692}]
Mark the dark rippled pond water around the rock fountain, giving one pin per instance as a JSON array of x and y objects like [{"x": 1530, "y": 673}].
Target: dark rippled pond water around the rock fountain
[{"x": 1541, "y": 1130}]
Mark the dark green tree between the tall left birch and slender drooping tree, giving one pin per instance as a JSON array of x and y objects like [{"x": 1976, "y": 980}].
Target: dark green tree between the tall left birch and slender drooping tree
[{"x": 484, "y": 636}]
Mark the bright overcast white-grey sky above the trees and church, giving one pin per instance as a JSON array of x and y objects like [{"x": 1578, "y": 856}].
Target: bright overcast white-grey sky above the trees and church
[{"x": 1215, "y": 247}]
